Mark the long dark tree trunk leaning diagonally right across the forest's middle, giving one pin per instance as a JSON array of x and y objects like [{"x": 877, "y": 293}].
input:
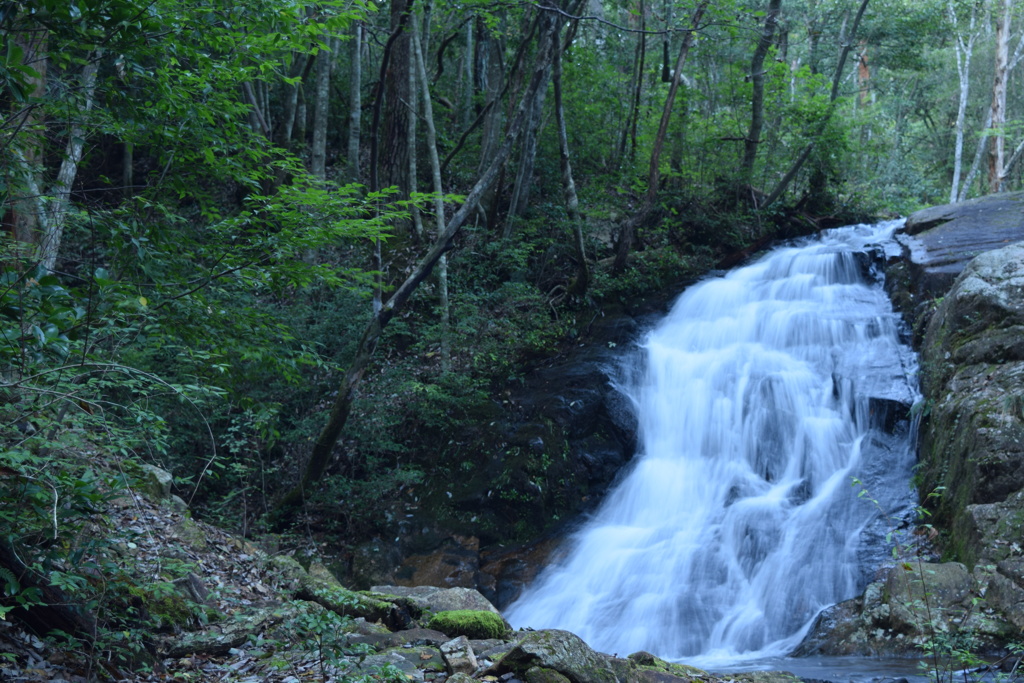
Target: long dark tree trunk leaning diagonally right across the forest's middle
[{"x": 323, "y": 449}]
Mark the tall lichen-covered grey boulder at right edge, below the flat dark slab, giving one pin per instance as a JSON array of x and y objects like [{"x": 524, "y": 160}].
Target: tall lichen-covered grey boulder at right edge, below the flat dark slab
[{"x": 972, "y": 450}]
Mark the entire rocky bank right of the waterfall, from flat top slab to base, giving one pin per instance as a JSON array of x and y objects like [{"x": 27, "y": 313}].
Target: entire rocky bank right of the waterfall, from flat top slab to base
[{"x": 962, "y": 284}]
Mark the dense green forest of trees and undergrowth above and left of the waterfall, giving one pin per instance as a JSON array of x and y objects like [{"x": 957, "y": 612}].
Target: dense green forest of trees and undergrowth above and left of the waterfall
[{"x": 297, "y": 253}]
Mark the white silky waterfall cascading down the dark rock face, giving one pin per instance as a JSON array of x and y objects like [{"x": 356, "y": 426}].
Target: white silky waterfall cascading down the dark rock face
[{"x": 740, "y": 522}]
